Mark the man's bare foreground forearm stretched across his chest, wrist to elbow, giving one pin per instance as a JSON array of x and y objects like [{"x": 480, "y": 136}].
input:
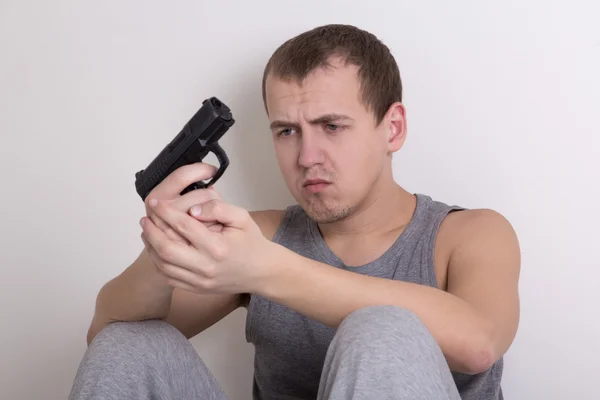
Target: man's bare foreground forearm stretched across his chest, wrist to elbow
[{"x": 328, "y": 295}]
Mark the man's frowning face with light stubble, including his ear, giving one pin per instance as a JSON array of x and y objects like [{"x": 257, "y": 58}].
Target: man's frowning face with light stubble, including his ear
[{"x": 329, "y": 150}]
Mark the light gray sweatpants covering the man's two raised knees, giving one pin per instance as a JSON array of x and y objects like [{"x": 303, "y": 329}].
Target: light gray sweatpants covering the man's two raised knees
[{"x": 380, "y": 352}]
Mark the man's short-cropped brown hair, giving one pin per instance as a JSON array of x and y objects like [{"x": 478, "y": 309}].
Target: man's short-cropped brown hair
[{"x": 379, "y": 76}]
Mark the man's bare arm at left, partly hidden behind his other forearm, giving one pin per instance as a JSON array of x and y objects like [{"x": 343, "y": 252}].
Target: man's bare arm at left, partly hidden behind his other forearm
[{"x": 141, "y": 293}]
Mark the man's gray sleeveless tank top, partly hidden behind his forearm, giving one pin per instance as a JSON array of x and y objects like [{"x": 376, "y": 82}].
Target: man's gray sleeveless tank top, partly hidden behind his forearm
[{"x": 290, "y": 348}]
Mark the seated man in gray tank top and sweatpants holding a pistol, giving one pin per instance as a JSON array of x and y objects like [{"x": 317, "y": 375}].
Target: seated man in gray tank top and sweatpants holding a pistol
[{"x": 360, "y": 291}]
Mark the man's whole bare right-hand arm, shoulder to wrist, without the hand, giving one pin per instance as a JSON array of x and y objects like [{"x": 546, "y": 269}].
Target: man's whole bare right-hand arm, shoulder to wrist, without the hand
[{"x": 474, "y": 322}]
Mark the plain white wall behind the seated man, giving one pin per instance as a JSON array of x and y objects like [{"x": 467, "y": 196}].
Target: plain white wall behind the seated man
[{"x": 502, "y": 102}]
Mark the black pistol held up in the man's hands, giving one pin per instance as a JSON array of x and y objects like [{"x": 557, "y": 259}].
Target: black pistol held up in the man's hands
[{"x": 197, "y": 138}]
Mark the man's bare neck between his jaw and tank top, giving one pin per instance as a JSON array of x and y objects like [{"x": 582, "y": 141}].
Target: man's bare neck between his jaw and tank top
[{"x": 386, "y": 209}]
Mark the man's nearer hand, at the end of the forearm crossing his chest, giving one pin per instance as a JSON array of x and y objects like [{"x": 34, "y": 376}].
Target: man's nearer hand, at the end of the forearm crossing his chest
[{"x": 232, "y": 260}]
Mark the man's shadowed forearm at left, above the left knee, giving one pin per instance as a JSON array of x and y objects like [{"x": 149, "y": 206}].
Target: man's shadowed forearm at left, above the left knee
[{"x": 134, "y": 295}]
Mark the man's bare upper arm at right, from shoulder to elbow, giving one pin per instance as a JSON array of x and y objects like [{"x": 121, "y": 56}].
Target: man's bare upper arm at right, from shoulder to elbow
[{"x": 484, "y": 271}]
